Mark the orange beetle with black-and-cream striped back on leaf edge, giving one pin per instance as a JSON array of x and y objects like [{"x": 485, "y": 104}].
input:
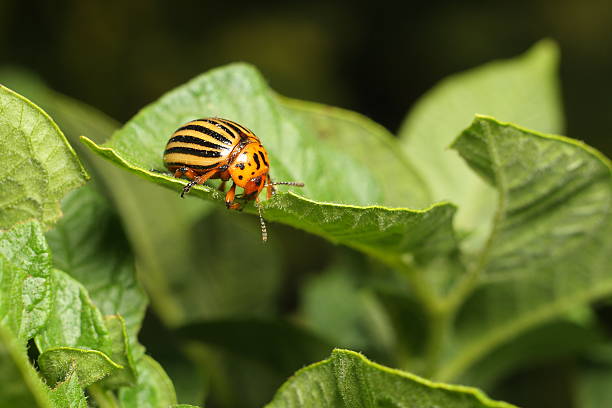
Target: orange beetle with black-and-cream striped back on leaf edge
[{"x": 210, "y": 148}]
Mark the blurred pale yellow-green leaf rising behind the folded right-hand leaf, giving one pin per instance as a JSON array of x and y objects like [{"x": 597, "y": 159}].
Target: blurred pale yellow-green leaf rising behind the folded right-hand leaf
[{"x": 521, "y": 90}]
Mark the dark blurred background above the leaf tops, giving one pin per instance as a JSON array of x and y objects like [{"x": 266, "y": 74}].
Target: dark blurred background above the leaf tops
[{"x": 370, "y": 57}]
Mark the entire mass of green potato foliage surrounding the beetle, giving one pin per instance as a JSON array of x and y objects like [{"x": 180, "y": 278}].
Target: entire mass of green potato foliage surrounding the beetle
[{"x": 459, "y": 265}]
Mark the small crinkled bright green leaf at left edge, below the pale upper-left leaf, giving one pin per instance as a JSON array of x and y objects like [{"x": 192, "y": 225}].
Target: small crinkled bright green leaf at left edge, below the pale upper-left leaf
[{"x": 26, "y": 293}]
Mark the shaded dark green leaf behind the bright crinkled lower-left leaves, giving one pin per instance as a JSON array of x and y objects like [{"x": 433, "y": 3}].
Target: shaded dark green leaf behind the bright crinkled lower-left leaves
[{"x": 88, "y": 243}]
